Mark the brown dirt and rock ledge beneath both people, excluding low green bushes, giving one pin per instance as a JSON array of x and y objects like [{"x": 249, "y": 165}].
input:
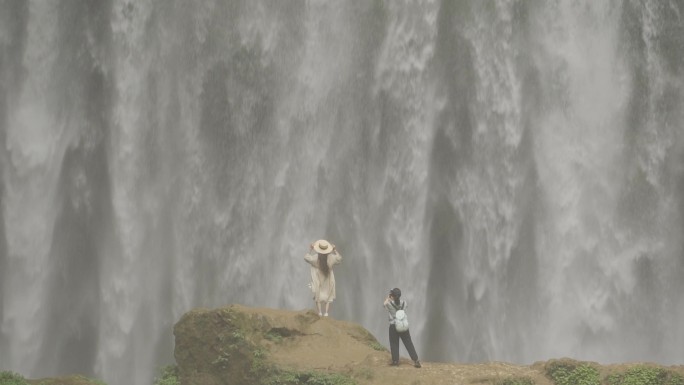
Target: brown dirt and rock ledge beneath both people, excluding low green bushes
[{"x": 244, "y": 345}]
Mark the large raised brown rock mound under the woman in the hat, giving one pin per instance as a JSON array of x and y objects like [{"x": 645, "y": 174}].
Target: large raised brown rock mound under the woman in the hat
[{"x": 241, "y": 345}]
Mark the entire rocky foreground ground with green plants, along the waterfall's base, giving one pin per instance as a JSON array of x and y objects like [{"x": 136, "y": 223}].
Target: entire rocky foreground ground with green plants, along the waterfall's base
[{"x": 254, "y": 346}]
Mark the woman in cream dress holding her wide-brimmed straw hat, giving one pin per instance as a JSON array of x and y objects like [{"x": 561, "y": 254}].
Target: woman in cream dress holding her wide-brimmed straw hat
[{"x": 322, "y": 256}]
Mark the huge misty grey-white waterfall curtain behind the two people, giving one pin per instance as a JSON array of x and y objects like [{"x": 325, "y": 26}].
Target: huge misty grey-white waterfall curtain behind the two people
[{"x": 516, "y": 167}]
